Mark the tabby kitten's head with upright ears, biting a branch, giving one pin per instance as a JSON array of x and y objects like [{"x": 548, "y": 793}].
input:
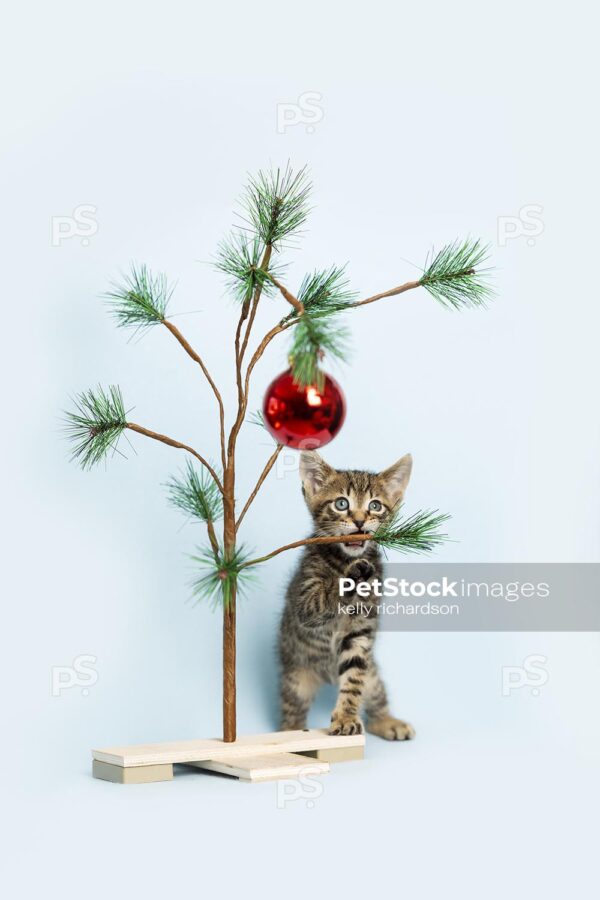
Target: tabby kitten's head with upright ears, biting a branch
[{"x": 347, "y": 502}]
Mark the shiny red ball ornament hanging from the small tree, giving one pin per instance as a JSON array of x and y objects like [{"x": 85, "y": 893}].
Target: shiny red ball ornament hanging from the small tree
[{"x": 303, "y": 417}]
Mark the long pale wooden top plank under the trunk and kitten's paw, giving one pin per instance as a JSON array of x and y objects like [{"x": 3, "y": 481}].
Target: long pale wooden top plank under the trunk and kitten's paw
[{"x": 201, "y": 750}]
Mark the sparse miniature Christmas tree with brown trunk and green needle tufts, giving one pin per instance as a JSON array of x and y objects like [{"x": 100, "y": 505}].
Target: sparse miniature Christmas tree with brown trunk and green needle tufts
[{"x": 276, "y": 205}]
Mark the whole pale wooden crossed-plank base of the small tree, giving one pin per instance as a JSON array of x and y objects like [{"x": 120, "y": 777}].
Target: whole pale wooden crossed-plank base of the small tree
[{"x": 261, "y": 757}]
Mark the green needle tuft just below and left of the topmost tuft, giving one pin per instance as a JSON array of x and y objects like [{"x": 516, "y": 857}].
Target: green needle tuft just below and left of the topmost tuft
[{"x": 239, "y": 259}]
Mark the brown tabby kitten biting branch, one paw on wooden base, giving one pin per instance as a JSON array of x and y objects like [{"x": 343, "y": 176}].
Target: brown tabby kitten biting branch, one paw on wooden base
[{"x": 318, "y": 644}]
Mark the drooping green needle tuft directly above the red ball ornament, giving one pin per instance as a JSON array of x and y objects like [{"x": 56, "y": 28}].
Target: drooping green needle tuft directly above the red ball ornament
[{"x": 315, "y": 335}]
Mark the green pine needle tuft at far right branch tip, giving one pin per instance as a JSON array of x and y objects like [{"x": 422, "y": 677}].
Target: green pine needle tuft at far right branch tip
[{"x": 455, "y": 277}]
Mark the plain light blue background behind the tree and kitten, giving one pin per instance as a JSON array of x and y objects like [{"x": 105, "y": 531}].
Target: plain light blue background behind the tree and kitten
[{"x": 436, "y": 121}]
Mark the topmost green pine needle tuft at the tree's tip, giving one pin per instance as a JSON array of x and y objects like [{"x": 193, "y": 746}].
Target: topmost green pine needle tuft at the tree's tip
[{"x": 276, "y": 204}]
